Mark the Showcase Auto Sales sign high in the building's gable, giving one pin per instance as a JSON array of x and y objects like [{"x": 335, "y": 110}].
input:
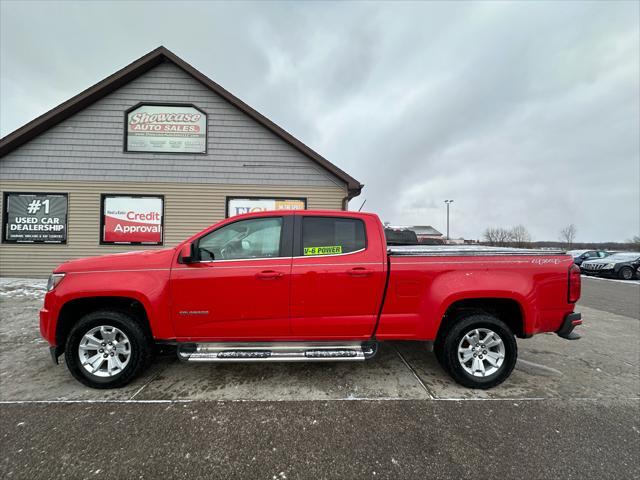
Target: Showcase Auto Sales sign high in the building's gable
[{"x": 166, "y": 128}]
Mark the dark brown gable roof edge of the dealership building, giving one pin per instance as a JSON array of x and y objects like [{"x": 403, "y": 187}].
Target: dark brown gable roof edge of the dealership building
[{"x": 133, "y": 71}]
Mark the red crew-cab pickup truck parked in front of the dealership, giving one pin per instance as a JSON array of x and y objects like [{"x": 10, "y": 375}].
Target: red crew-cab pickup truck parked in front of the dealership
[{"x": 305, "y": 286}]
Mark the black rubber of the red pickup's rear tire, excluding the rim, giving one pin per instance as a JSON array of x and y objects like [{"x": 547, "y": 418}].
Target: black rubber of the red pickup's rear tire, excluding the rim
[{"x": 454, "y": 335}]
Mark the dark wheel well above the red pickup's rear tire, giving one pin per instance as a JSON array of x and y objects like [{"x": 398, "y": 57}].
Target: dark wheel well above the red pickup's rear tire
[{"x": 506, "y": 309}]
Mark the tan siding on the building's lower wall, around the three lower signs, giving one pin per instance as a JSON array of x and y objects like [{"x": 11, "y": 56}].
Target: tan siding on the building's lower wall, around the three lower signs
[{"x": 189, "y": 208}]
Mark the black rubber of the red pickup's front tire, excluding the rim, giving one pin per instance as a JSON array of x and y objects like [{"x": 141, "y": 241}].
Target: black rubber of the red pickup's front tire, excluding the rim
[{"x": 140, "y": 346}]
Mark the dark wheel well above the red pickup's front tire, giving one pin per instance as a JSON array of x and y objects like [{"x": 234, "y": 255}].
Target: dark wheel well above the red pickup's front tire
[{"x": 74, "y": 310}]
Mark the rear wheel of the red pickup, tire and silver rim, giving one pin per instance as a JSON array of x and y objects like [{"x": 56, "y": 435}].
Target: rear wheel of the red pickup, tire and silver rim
[{"x": 479, "y": 351}]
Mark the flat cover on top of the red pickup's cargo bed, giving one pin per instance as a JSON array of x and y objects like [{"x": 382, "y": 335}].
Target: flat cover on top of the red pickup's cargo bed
[{"x": 465, "y": 250}]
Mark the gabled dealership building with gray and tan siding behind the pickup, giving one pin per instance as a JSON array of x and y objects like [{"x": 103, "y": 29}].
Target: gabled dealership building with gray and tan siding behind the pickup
[{"x": 144, "y": 159}]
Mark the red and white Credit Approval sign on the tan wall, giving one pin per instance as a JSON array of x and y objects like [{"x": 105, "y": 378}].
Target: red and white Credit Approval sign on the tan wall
[{"x": 132, "y": 220}]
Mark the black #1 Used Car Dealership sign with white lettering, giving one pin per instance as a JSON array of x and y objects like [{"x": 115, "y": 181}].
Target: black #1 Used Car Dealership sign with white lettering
[{"x": 35, "y": 217}]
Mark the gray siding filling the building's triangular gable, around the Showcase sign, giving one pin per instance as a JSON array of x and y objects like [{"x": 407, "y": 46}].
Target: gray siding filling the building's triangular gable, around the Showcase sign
[{"x": 89, "y": 145}]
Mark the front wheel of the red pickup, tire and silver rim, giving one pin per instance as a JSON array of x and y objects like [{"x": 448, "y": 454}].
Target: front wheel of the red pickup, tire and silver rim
[{"x": 107, "y": 349}]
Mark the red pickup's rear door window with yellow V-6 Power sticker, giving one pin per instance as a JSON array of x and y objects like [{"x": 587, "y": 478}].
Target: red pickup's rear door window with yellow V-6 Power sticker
[{"x": 332, "y": 236}]
